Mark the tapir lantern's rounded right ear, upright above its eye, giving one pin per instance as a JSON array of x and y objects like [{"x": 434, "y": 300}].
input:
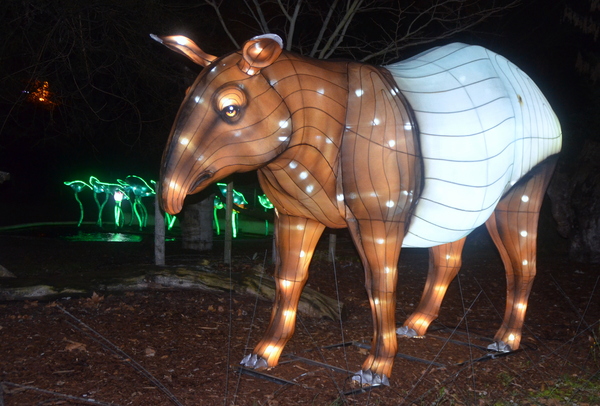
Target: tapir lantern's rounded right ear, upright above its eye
[{"x": 260, "y": 52}]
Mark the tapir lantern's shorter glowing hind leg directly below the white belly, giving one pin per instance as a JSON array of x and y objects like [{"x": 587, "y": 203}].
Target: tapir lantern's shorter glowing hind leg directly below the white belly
[{"x": 444, "y": 263}]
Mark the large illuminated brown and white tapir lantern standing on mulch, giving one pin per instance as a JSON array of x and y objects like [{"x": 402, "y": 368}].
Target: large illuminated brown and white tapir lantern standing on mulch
[{"x": 414, "y": 154}]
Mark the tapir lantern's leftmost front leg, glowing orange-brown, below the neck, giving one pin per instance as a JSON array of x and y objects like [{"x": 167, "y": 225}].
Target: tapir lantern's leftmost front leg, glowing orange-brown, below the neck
[{"x": 296, "y": 239}]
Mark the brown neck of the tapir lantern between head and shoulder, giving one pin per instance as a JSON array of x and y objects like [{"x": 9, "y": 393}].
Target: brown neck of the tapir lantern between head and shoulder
[{"x": 304, "y": 179}]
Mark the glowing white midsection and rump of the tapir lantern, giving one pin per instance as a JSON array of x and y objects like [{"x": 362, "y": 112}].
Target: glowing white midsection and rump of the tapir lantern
[{"x": 483, "y": 124}]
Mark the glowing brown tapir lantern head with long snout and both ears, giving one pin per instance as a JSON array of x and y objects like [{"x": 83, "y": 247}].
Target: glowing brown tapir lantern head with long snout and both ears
[{"x": 231, "y": 119}]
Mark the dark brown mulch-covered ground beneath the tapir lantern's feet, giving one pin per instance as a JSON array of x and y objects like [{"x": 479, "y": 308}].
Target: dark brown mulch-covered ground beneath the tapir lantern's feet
[{"x": 159, "y": 347}]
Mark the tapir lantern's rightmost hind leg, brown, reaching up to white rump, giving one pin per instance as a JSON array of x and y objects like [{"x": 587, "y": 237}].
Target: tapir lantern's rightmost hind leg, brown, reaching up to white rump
[{"x": 513, "y": 227}]
